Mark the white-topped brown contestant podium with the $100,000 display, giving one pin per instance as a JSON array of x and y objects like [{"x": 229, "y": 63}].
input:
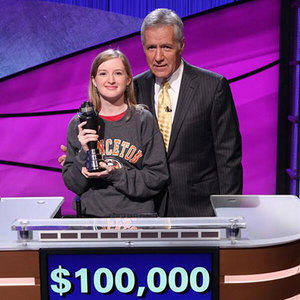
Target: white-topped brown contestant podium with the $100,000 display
[{"x": 250, "y": 250}]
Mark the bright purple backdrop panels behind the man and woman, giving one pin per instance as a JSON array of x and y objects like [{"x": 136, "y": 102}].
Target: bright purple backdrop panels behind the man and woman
[{"x": 232, "y": 42}]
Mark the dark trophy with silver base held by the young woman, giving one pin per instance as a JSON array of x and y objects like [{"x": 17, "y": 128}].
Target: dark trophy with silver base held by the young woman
[{"x": 87, "y": 113}]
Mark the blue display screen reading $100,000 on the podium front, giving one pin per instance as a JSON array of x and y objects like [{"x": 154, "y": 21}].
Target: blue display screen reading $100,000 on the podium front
[{"x": 131, "y": 274}]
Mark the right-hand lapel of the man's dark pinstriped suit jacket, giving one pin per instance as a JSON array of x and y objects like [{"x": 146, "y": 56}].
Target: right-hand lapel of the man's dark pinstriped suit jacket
[{"x": 187, "y": 89}]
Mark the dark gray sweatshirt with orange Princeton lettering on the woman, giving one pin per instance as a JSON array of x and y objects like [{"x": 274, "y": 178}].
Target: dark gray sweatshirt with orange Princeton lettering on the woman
[{"x": 135, "y": 145}]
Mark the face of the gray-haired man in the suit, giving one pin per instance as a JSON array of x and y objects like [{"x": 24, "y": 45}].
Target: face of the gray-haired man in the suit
[{"x": 162, "y": 51}]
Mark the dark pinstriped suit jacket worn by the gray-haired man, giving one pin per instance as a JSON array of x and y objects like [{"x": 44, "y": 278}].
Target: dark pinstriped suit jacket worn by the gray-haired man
[{"x": 204, "y": 154}]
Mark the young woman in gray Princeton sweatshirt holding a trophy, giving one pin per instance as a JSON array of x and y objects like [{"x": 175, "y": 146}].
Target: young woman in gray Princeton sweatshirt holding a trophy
[{"x": 131, "y": 144}]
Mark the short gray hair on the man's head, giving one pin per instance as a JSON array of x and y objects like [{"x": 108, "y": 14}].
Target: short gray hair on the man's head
[{"x": 163, "y": 16}]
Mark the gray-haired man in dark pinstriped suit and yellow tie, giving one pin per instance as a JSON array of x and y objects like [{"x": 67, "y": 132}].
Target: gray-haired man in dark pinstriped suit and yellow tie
[{"x": 204, "y": 146}]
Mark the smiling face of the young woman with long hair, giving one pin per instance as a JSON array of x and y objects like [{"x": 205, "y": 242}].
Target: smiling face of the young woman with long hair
[{"x": 111, "y": 80}]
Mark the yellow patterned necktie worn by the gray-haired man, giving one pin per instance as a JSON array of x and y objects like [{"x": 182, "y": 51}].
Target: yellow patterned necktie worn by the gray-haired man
[{"x": 164, "y": 114}]
